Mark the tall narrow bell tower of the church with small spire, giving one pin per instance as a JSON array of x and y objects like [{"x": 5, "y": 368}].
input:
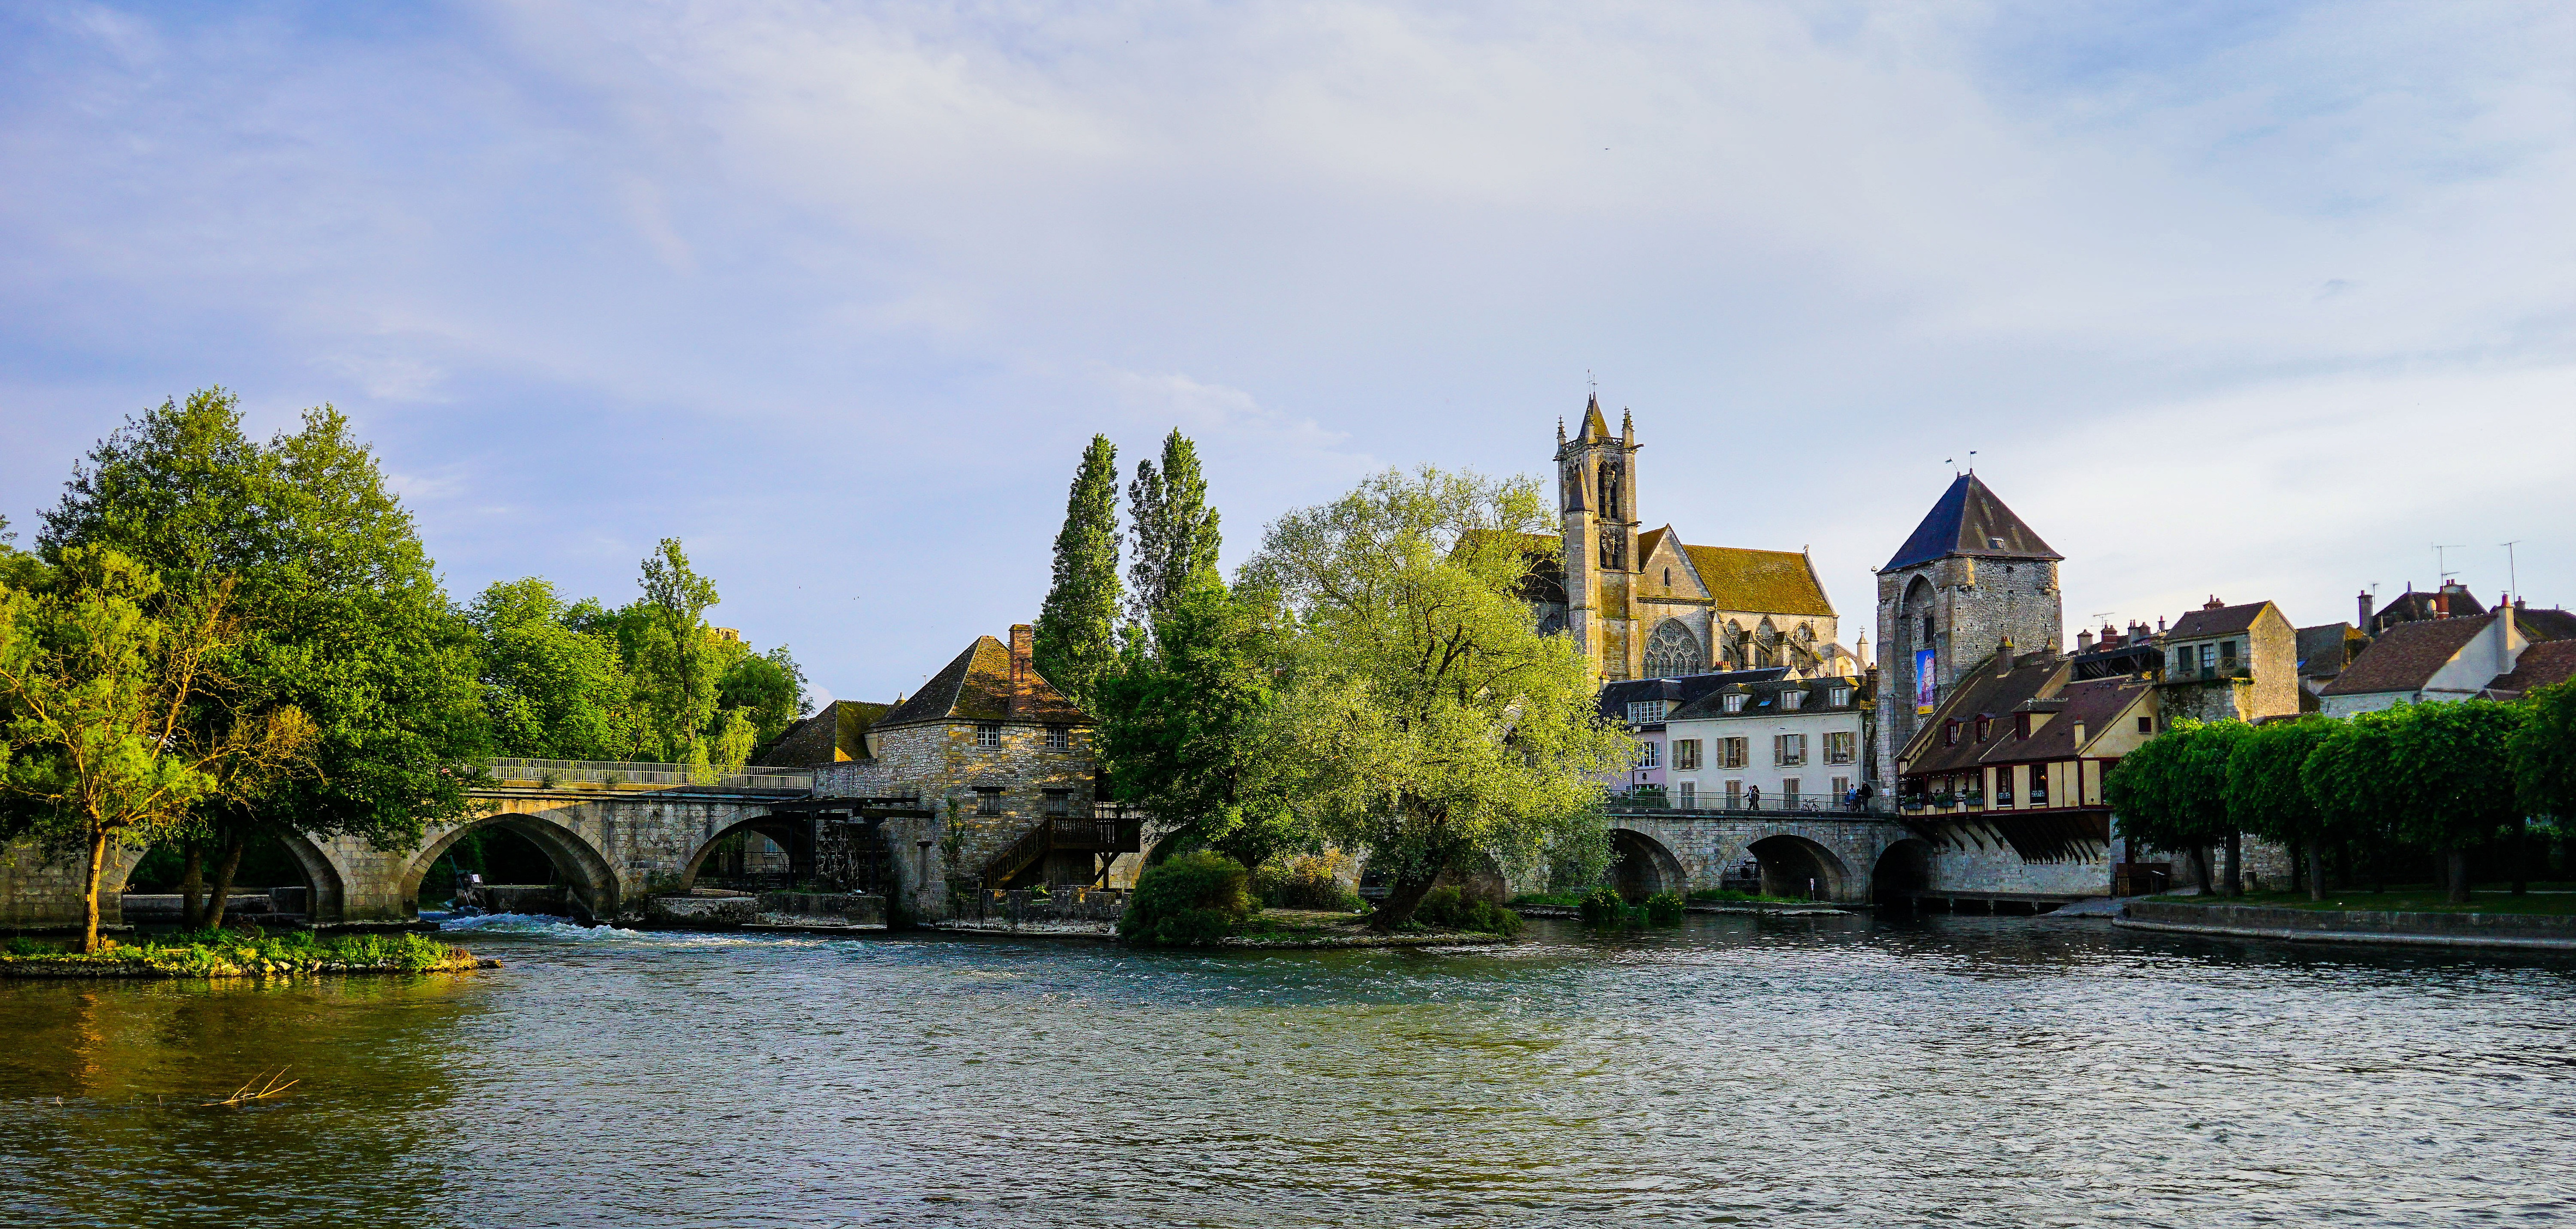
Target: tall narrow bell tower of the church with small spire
[{"x": 1596, "y": 481}]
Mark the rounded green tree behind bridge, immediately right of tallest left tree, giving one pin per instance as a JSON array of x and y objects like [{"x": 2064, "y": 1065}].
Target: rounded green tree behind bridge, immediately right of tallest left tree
[{"x": 553, "y": 689}]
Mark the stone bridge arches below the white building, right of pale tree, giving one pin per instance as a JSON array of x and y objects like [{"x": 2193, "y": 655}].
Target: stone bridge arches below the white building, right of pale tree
[{"x": 1846, "y": 857}]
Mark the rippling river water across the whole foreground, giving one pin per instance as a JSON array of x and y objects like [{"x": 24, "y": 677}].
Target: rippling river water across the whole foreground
[{"x": 1797, "y": 1073}]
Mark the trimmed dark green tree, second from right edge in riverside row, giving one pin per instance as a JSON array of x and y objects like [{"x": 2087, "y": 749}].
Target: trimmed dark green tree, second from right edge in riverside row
[{"x": 2456, "y": 777}]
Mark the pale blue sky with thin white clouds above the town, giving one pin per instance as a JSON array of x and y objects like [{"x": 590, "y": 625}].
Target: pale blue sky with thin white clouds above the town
[{"x": 2227, "y": 298}]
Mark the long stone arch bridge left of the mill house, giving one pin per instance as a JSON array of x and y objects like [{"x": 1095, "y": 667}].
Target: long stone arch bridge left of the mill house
[{"x": 612, "y": 834}]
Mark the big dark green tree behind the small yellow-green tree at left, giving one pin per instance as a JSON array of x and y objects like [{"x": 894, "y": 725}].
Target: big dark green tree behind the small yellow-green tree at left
[{"x": 341, "y": 617}]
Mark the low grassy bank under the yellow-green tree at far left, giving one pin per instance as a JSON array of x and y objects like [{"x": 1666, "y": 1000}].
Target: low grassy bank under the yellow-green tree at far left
[{"x": 238, "y": 955}]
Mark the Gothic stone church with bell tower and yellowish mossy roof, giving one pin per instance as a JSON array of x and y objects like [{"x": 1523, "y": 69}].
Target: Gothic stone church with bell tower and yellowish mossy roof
[{"x": 1645, "y": 604}]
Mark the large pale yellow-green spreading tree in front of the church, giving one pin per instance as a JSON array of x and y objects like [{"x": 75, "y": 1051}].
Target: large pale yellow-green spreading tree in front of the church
[{"x": 1423, "y": 715}]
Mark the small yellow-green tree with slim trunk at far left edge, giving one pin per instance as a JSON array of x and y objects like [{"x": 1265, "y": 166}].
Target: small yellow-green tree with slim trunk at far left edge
[{"x": 104, "y": 684}]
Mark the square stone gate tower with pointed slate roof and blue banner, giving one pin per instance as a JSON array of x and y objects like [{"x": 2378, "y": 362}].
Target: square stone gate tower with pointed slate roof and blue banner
[{"x": 1969, "y": 581}]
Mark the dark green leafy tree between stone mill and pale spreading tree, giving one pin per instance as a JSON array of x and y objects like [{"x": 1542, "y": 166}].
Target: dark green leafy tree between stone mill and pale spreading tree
[{"x": 1189, "y": 730}]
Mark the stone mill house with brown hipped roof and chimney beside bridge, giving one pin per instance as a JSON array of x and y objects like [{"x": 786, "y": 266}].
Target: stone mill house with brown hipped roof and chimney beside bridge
[{"x": 1006, "y": 767}]
